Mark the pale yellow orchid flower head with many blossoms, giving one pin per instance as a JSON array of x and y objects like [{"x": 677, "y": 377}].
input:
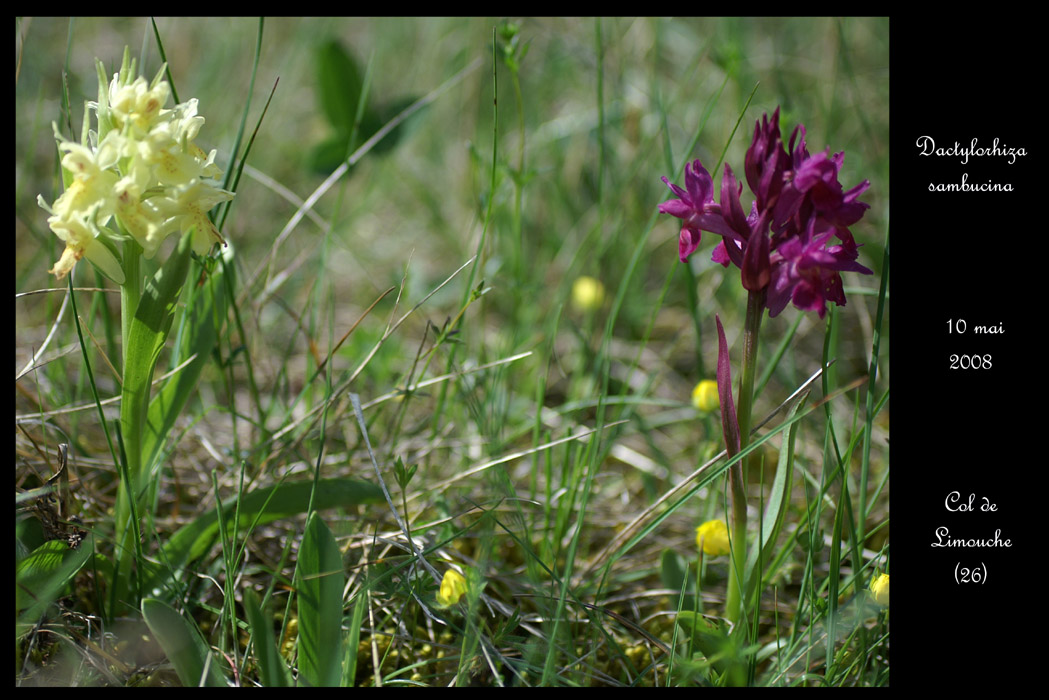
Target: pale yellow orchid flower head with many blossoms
[{"x": 146, "y": 171}]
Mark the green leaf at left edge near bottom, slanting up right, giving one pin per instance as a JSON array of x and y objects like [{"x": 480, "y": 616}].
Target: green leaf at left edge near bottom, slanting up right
[{"x": 42, "y": 576}]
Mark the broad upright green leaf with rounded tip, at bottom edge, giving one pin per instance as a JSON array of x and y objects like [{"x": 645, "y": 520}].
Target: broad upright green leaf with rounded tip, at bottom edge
[{"x": 319, "y": 580}]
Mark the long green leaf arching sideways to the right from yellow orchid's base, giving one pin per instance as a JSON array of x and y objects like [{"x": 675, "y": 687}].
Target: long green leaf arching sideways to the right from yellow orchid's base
[{"x": 260, "y": 507}]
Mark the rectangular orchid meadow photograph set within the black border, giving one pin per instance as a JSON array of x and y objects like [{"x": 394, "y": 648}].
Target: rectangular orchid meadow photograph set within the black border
[{"x": 454, "y": 352}]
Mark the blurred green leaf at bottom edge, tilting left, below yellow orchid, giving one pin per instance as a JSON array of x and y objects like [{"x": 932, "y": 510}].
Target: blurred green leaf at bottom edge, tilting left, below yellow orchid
[{"x": 184, "y": 645}]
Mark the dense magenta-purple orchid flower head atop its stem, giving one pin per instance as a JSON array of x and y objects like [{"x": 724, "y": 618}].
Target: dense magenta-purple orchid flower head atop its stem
[{"x": 785, "y": 246}]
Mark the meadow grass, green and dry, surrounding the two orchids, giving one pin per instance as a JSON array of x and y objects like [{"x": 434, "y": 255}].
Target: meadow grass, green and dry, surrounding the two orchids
[{"x": 420, "y": 313}]
